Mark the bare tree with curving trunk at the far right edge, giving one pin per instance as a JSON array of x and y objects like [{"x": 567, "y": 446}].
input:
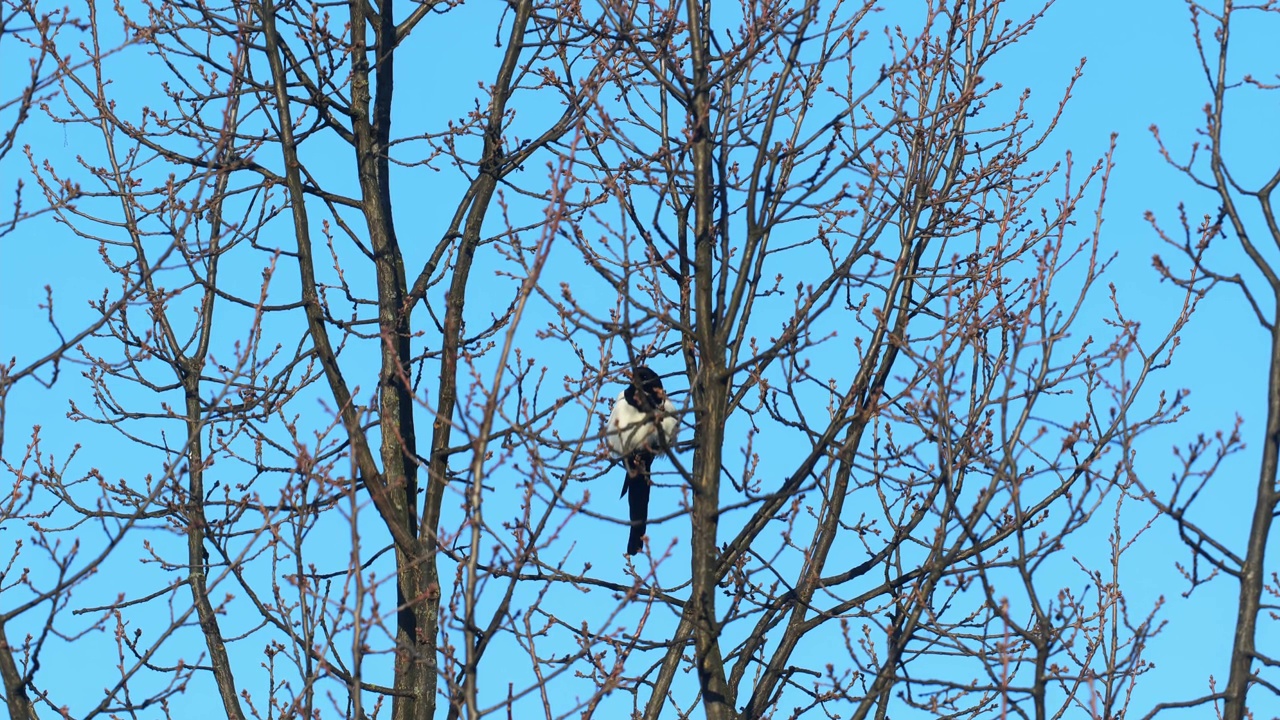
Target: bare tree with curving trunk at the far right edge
[{"x": 1244, "y": 216}]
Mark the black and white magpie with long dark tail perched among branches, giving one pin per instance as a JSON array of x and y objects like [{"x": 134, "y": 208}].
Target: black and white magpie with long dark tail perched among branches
[{"x": 642, "y": 426}]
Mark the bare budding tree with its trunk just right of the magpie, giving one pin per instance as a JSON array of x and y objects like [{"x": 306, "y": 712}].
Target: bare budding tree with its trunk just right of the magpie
[{"x": 874, "y": 307}]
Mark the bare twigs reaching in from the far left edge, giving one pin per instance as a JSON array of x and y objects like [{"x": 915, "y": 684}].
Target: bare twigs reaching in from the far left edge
[{"x": 40, "y": 576}]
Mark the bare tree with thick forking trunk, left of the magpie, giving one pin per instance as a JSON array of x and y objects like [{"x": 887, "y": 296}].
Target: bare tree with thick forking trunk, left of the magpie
[{"x": 245, "y": 83}]
